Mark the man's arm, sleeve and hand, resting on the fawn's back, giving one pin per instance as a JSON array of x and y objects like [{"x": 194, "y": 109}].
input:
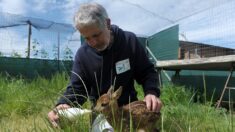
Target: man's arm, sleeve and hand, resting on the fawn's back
[{"x": 146, "y": 75}]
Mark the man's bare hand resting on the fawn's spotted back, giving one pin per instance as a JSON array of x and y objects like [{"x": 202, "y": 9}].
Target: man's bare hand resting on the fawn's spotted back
[{"x": 153, "y": 103}]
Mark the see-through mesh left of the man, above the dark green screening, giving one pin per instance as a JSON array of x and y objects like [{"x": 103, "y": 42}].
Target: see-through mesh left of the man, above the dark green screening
[{"x": 36, "y": 38}]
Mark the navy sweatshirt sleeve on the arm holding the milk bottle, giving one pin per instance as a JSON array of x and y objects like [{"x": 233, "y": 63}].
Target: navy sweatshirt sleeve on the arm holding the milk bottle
[{"x": 76, "y": 92}]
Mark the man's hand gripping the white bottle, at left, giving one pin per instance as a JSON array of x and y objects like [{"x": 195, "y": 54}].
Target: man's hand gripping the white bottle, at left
[{"x": 53, "y": 114}]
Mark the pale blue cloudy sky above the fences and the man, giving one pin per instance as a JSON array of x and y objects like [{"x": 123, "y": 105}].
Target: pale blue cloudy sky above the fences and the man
[{"x": 210, "y": 21}]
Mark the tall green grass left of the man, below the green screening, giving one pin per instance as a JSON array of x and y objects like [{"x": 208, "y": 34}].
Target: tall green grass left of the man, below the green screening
[{"x": 24, "y": 104}]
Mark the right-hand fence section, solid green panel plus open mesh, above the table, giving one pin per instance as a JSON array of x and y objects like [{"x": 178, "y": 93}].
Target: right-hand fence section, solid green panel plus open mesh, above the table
[{"x": 208, "y": 33}]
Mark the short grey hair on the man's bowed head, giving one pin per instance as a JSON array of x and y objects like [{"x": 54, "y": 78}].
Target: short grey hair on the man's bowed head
[{"x": 89, "y": 14}]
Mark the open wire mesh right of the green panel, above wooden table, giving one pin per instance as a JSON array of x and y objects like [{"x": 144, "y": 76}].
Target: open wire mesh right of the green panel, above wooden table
[{"x": 209, "y": 33}]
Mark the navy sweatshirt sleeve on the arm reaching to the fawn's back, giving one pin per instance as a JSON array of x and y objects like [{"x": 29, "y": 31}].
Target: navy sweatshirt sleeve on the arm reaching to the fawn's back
[{"x": 145, "y": 73}]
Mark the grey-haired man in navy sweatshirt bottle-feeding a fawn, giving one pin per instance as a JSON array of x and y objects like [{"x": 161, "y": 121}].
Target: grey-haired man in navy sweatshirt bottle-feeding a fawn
[{"x": 109, "y": 56}]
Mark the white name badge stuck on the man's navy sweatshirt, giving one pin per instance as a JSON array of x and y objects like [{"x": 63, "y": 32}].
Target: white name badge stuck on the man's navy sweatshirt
[{"x": 122, "y": 66}]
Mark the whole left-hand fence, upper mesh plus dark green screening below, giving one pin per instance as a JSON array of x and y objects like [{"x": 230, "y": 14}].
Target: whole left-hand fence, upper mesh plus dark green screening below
[{"x": 34, "y": 47}]
